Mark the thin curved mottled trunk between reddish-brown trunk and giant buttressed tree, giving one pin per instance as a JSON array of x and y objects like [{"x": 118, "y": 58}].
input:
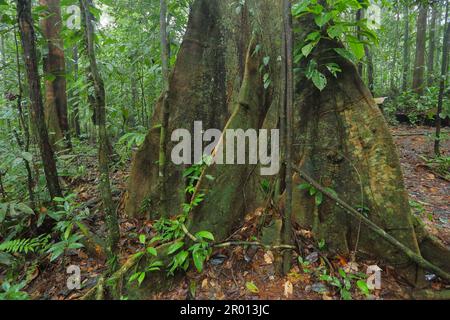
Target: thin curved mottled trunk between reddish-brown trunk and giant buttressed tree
[{"x": 99, "y": 105}]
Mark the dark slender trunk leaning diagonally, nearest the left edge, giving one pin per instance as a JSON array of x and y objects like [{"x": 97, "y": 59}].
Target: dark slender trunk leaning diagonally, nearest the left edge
[{"x": 26, "y": 27}]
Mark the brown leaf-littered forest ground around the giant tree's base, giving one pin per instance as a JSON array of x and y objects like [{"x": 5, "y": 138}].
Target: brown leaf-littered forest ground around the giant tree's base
[{"x": 239, "y": 273}]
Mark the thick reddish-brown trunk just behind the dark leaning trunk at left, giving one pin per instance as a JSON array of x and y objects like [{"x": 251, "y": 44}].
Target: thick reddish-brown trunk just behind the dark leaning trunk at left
[{"x": 55, "y": 73}]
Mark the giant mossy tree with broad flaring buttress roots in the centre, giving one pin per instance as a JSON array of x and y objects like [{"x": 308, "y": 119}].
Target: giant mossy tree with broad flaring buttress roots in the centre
[{"x": 340, "y": 136}]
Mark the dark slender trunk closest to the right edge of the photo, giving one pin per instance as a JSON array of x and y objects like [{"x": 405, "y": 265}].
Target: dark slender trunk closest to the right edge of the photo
[{"x": 442, "y": 82}]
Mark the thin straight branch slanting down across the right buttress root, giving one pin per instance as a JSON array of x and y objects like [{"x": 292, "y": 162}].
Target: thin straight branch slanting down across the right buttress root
[{"x": 349, "y": 209}]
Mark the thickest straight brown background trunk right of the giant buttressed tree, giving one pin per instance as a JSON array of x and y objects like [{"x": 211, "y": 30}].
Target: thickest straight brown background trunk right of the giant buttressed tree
[{"x": 419, "y": 65}]
